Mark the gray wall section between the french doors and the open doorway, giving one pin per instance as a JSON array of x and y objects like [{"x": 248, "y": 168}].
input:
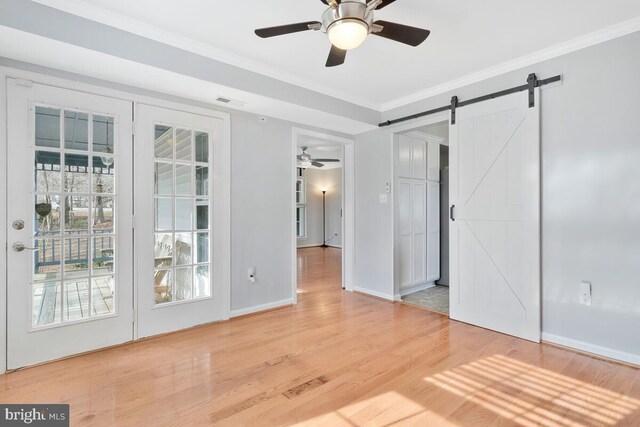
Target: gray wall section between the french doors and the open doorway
[{"x": 261, "y": 211}]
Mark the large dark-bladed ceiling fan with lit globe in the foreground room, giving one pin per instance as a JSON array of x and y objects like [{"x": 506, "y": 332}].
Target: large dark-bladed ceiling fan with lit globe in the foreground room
[{"x": 348, "y": 23}]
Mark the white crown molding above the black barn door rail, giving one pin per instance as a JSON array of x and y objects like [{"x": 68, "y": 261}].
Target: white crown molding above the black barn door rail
[{"x": 600, "y": 36}]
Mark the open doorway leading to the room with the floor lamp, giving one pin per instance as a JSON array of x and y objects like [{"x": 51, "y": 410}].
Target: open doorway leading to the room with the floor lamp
[{"x": 323, "y": 218}]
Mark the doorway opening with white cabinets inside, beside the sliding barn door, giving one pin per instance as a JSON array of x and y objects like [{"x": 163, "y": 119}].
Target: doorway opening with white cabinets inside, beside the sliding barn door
[{"x": 422, "y": 220}]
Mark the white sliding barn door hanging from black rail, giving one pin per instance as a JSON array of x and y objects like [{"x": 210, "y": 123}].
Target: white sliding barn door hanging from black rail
[{"x": 495, "y": 238}]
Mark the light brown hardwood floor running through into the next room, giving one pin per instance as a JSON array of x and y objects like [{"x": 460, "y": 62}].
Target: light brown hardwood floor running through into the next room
[{"x": 335, "y": 359}]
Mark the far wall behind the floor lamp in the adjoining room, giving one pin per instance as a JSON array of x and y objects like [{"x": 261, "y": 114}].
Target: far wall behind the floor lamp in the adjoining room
[{"x": 315, "y": 181}]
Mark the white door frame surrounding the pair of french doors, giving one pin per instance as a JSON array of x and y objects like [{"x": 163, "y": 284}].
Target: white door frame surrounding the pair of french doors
[{"x": 65, "y": 83}]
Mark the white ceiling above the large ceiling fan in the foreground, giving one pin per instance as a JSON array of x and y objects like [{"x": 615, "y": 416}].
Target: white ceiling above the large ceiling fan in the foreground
[{"x": 468, "y": 36}]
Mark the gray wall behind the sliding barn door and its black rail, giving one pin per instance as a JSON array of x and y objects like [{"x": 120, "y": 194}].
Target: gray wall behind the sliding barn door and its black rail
[{"x": 590, "y": 193}]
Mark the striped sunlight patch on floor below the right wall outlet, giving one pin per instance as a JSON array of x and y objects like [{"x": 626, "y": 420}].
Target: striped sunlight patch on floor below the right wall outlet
[{"x": 532, "y": 396}]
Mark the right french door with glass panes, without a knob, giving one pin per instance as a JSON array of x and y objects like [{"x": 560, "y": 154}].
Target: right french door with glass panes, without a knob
[{"x": 179, "y": 254}]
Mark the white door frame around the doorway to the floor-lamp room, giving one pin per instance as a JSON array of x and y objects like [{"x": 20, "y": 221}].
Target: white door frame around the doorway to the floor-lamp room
[{"x": 348, "y": 207}]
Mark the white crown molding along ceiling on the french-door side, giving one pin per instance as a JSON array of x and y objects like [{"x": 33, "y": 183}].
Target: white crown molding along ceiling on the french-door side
[{"x": 133, "y": 26}]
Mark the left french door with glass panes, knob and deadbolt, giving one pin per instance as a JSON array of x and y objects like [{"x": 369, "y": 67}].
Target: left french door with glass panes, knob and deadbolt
[{"x": 69, "y": 204}]
